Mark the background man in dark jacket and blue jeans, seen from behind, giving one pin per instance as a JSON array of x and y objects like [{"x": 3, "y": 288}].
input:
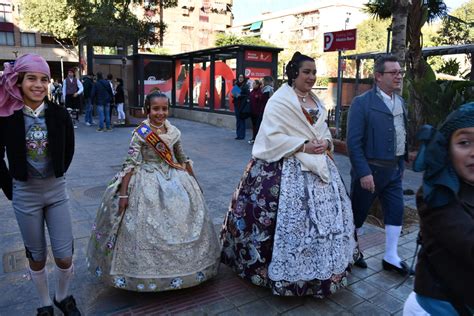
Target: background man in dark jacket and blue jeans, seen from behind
[{"x": 101, "y": 95}]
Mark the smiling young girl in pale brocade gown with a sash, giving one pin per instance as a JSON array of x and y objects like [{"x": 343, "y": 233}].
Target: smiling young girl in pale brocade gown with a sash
[{"x": 153, "y": 231}]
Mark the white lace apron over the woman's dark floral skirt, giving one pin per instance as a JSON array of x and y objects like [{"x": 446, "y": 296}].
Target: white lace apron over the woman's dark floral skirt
[{"x": 315, "y": 229}]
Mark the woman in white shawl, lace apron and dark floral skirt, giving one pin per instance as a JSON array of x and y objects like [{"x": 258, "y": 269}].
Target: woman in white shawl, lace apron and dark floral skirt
[{"x": 308, "y": 248}]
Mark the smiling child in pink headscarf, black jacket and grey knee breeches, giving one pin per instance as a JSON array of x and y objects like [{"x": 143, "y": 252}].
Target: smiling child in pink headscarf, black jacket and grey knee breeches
[{"x": 38, "y": 137}]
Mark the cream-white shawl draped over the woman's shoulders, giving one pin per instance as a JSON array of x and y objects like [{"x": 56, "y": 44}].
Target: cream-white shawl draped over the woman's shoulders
[{"x": 284, "y": 130}]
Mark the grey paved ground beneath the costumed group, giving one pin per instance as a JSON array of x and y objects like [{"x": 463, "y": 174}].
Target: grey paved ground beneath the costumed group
[{"x": 219, "y": 161}]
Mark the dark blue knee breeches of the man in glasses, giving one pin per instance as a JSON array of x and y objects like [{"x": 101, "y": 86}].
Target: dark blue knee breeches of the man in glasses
[{"x": 388, "y": 188}]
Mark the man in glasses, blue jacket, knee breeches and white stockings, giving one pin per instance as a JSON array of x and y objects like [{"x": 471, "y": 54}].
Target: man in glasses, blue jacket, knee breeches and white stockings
[{"x": 377, "y": 146}]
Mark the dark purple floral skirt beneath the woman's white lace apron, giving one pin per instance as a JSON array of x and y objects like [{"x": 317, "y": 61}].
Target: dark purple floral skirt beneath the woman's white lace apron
[{"x": 249, "y": 230}]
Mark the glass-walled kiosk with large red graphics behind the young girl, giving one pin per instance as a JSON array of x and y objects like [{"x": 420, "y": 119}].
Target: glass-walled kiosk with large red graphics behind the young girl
[{"x": 201, "y": 80}]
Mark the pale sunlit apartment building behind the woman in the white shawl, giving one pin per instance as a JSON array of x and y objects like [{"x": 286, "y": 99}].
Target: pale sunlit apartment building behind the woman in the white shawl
[{"x": 302, "y": 28}]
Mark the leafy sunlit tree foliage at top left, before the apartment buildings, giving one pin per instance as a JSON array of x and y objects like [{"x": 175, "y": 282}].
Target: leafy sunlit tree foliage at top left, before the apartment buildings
[{"x": 100, "y": 23}]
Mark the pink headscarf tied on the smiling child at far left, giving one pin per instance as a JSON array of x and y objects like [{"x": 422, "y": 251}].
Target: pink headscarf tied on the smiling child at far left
[{"x": 10, "y": 94}]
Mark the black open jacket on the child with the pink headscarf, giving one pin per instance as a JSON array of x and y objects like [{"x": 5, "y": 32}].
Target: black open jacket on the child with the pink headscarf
[{"x": 12, "y": 140}]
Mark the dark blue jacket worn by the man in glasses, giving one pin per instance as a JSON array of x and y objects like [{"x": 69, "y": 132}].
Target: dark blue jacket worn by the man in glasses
[{"x": 371, "y": 132}]
